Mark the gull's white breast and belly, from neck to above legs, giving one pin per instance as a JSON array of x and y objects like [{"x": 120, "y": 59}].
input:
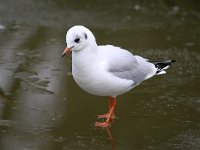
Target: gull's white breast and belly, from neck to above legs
[{"x": 91, "y": 75}]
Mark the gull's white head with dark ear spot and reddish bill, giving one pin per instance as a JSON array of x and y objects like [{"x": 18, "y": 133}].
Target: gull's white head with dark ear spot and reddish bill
[{"x": 78, "y": 38}]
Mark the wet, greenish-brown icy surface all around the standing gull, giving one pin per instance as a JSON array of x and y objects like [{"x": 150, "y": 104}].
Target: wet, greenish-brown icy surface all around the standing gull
[{"x": 41, "y": 107}]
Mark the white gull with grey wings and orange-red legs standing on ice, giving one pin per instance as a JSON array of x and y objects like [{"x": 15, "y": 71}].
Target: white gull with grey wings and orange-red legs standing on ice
[{"x": 107, "y": 70}]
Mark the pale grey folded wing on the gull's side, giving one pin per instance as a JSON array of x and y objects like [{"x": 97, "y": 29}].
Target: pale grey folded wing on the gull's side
[{"x": 130, "y": 67}]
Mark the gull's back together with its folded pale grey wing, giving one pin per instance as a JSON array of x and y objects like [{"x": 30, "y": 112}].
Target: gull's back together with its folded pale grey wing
[{"x": 125, "y": 65}]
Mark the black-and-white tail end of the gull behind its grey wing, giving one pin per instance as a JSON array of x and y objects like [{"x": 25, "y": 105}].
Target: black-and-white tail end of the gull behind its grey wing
[{"x": 161, "y": 66}]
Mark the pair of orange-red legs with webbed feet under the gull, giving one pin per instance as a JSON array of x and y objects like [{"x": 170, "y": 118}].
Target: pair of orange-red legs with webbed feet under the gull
[{"x": 109, "y": 116}]
